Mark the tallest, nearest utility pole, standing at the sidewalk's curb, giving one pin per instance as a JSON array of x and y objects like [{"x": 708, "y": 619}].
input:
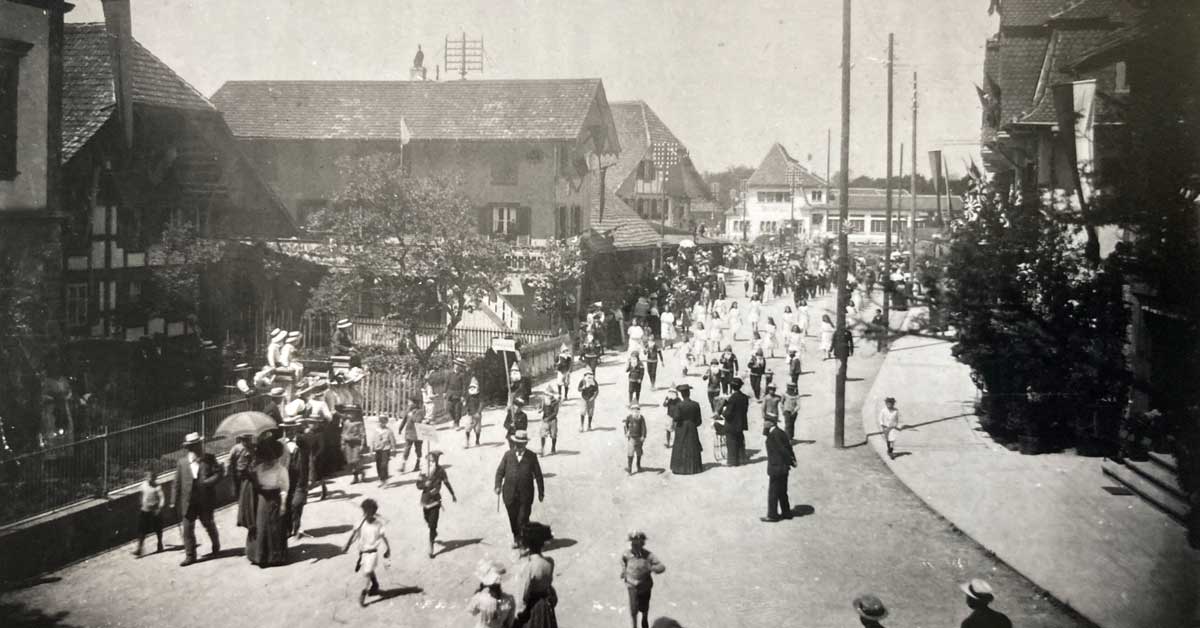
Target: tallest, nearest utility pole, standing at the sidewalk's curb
[{"x": 839, "y": 414}]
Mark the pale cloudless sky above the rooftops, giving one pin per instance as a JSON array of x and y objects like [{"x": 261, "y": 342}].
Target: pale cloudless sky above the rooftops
[{"x": 729, "y": 77}]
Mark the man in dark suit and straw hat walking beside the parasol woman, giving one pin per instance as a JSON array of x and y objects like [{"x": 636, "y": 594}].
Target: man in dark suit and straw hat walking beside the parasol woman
[{"x": 195, "y": 495}]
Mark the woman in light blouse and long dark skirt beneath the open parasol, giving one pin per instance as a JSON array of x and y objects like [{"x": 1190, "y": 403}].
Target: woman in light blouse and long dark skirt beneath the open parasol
[{"x": 269, "y": 546}]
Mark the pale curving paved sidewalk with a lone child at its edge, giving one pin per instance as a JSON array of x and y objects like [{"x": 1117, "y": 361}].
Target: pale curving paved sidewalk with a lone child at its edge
[{"x": 1114, "y": 559}]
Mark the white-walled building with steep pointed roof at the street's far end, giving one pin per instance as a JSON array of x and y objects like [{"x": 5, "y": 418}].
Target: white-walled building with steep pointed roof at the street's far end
[{"x": 781, "y": 192}]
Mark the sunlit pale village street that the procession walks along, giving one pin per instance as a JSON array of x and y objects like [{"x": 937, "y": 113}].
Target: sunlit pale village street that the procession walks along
[{"x": 861, "y": 531}]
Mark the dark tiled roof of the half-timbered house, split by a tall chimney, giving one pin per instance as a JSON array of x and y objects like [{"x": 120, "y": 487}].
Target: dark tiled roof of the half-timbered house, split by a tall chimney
[{"x": 88, "y": 99}]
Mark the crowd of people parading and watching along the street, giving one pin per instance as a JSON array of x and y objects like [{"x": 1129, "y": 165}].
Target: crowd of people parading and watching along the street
[{"x": 321, "y": 430}]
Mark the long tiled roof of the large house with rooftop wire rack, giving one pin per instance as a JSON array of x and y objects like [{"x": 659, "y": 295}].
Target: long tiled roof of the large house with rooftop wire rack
[{"x": 446, "y": 111}]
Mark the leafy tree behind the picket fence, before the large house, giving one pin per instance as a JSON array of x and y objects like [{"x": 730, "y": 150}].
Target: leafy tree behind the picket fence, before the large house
[{"x": 406, "y": 248}]
